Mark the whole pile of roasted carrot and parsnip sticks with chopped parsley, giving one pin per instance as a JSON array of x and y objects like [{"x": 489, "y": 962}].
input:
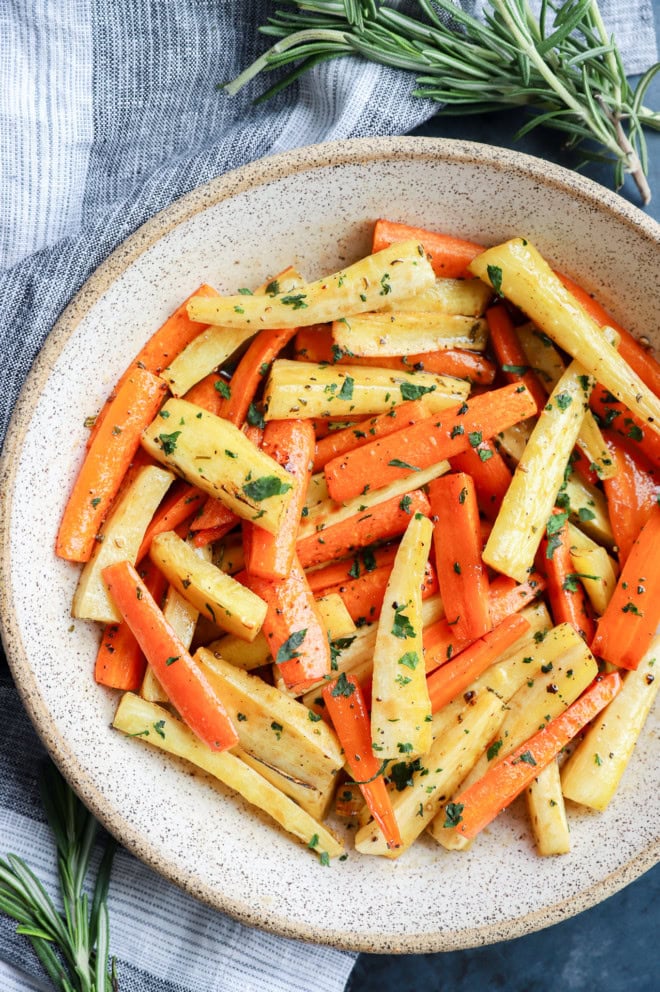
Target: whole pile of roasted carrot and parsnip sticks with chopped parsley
[{"x": 383, "y": 545}]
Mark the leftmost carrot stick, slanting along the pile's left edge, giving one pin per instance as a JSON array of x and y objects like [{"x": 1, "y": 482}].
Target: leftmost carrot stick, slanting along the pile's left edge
[{"x": 106, "y": 462}]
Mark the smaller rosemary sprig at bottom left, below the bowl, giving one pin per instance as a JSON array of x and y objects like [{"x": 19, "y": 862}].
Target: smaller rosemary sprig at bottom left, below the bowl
[{"x": 72, "y": 944}]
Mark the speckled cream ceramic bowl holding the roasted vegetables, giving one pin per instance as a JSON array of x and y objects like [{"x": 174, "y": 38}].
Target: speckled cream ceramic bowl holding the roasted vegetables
[{"x": 315, "y": 208}]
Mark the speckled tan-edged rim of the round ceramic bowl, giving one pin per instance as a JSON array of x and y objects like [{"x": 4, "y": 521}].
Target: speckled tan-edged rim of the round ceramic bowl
[{"x": 259, "y": 173}]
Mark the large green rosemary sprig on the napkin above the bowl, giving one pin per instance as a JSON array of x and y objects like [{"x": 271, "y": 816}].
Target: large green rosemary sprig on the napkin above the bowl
[{"x": 563, "y": 66}]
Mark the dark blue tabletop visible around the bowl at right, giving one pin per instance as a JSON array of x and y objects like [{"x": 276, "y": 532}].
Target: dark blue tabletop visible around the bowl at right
[{"x": 612, "y": 947}]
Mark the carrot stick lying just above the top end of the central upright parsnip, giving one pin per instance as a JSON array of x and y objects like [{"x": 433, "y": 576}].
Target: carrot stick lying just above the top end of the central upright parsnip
[{"x": 377, "y": 523}]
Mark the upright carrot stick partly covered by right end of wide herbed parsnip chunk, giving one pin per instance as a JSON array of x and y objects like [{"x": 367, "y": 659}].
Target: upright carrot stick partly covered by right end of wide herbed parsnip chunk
[{"x": 291, "y": 443}]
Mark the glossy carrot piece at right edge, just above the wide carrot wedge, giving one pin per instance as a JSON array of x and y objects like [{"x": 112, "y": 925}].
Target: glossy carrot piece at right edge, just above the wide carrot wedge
[{"x": 631, "y": 495}]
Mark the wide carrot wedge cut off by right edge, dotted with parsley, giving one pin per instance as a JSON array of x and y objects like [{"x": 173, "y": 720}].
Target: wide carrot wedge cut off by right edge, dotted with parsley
[{"x": 632, "y": 616}]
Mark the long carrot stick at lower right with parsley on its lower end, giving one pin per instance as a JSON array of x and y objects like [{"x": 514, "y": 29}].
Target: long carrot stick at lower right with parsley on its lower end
[{"x": 479, "y": 804}]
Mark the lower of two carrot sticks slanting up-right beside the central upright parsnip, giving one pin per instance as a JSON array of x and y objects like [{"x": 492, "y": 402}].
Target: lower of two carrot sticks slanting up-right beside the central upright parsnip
[{"x": 448, "y": 681}]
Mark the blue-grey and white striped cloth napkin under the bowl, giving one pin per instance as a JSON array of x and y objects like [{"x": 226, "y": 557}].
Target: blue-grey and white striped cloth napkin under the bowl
[{"x": 108, "y": 113}]
